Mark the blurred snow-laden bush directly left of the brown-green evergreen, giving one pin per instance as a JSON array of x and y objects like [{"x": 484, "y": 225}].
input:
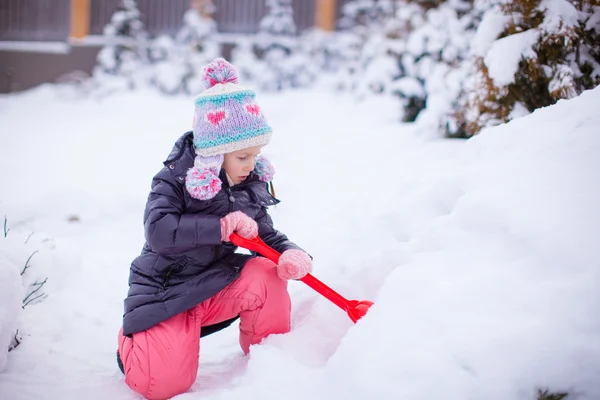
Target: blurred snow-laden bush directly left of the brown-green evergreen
[{"x": 437, "y": 54}]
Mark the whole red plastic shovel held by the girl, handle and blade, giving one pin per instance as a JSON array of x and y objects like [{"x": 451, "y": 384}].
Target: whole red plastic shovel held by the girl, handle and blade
[{"x": 354, "y": 308}]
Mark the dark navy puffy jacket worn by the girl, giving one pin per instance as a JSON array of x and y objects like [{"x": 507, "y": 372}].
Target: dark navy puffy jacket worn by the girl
[{"x": 183, "y": 261}]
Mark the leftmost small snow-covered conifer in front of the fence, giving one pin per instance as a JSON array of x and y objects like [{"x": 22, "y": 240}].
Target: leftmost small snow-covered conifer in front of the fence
[{"x": 121, "y": 63}]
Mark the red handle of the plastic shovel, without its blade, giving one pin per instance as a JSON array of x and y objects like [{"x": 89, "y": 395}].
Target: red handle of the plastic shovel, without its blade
[{"x": 261, "y": 247}]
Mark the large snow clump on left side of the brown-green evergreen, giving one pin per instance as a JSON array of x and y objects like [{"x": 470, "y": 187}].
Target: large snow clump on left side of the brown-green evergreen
[{"x": 505, "y": 54}]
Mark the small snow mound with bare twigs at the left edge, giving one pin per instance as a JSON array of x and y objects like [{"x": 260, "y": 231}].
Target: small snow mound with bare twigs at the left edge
[{"x": 23, "y": 277}]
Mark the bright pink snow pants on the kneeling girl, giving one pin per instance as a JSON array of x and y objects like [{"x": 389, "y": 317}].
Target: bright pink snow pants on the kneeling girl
[{"x": 162, "y": 362}]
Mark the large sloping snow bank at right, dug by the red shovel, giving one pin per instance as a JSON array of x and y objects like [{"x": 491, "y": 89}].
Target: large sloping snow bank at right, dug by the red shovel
[{"x": 499, "y": 294}]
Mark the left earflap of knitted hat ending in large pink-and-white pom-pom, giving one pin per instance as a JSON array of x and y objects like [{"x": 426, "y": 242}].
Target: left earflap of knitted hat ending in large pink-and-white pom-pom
[{"x": 202, "y": 180}]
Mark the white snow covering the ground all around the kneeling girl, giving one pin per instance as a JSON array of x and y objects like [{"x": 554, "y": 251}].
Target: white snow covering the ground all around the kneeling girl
[{"x": 481, "y": 256}]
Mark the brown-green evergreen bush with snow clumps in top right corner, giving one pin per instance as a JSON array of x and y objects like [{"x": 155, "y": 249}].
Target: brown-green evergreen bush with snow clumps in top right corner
[{"x": 544, "y": 50}]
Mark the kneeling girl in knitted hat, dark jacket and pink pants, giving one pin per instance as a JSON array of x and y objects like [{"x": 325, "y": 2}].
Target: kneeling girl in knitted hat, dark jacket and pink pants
[{"x": 188, "y": 281}]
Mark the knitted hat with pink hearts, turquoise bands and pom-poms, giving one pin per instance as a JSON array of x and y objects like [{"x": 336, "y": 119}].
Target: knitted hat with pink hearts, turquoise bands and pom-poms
[{"x": 226, "y": 119}]
